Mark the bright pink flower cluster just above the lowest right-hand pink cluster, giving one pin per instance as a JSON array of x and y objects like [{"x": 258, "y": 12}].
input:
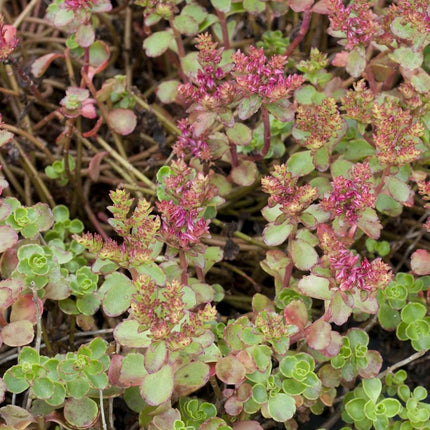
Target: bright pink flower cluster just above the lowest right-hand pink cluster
[{"x": 350, "y": 197}]
